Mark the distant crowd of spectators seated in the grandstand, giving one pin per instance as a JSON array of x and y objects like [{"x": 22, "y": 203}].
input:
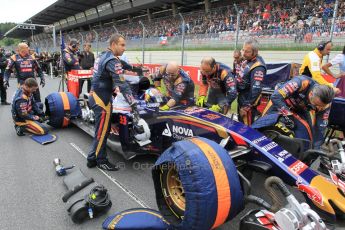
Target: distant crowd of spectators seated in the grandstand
[{"x": 296, "y": 19}]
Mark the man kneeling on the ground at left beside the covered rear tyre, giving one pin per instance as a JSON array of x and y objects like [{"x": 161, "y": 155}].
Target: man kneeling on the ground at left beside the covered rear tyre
[{"x": 25, "y": 111}]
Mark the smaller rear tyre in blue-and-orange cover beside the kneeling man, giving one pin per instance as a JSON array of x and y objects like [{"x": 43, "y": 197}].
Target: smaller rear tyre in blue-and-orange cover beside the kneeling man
[{"x": 61, "y": 107}]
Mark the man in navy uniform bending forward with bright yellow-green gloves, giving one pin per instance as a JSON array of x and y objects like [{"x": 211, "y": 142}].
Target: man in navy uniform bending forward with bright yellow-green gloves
[{"x": 218, "y": 81}]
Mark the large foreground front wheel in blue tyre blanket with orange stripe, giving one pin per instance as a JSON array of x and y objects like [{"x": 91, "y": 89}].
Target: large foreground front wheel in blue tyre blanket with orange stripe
[{"x": 197, "y": 185}]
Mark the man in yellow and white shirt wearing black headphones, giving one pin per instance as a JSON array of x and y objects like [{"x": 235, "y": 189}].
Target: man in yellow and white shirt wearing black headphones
[{"x": 312, "y": 63}]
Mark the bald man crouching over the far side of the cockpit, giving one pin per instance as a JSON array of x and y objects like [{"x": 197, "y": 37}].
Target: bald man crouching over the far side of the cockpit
[{"x": 179, "y": 86}]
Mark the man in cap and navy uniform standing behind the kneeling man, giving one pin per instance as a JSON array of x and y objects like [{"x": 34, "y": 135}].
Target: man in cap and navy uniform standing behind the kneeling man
[{"x": 25, "y": 66}]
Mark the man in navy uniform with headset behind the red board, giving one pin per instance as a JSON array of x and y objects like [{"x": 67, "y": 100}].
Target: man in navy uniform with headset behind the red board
[{"x": 70, "y": 55}]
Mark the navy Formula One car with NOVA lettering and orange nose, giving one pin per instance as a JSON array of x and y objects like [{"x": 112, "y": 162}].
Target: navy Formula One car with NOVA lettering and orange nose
[{"x": 246, "y": 147}]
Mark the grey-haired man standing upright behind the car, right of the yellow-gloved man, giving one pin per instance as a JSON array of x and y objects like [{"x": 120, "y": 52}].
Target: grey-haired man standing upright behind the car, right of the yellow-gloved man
[{"x": 249, "y": 82}]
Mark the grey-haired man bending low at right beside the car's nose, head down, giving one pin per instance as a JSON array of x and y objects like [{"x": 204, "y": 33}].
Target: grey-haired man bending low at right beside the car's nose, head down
[{"x": 304, "y": 108}]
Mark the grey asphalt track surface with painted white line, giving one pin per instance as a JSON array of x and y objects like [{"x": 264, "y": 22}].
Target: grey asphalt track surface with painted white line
[{"x": 31, "y": 192}]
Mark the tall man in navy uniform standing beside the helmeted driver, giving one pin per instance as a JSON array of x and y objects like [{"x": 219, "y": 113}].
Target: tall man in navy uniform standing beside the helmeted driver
[{"x": 107, "y": 77}]
